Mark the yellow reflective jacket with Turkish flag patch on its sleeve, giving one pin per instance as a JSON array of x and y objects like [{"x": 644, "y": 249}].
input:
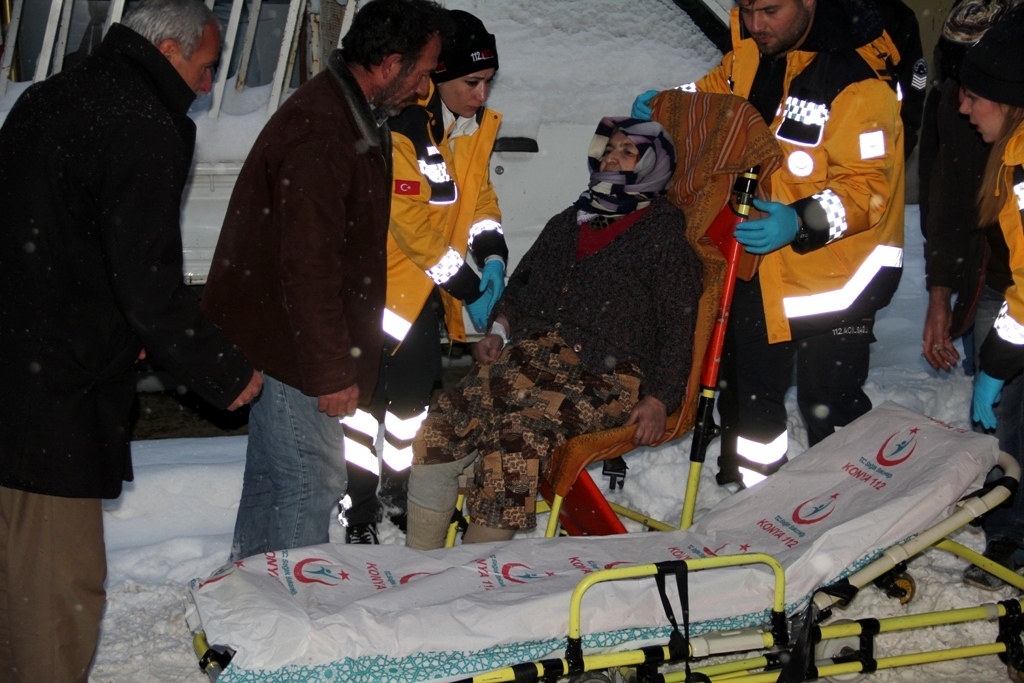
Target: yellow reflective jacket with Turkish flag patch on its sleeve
[{"x": 442, "y": 191}]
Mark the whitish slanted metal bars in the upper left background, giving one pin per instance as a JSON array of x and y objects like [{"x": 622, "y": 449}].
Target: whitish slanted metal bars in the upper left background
[{"x": 59, "y": 22}]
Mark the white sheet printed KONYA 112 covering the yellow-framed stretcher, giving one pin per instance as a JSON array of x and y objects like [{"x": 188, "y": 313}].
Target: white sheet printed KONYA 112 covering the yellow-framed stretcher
[{"x": 391, "y": 615}]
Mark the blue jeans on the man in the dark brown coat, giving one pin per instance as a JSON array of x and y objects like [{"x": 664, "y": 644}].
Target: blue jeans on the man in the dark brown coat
[{"x": 295, "y": 474}]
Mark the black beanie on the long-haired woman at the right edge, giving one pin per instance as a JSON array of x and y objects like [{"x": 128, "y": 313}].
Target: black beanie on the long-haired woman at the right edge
[{"x": 994, "y": 69}]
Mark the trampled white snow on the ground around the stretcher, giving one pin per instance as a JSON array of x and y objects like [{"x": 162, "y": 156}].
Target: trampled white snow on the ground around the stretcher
[{"x": 175, "y": 522}]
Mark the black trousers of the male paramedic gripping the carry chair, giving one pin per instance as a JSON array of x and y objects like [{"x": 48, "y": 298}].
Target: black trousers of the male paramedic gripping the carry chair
[{"x": 831, "y": 371}]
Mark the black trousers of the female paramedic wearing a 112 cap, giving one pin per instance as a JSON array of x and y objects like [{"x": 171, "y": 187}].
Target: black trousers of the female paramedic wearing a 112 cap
[{"x": 405, "y": 385}]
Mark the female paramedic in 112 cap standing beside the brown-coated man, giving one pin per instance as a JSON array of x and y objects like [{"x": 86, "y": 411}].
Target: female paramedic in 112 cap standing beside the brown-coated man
[{"x": 443, "y": 208}]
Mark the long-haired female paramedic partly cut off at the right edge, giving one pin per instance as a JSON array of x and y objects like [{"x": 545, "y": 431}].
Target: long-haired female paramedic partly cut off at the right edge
[{"x": 993, "y": 80}]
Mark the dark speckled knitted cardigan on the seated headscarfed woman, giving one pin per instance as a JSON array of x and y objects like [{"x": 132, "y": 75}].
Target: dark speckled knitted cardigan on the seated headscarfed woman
[{"x": 635, "y": 301}]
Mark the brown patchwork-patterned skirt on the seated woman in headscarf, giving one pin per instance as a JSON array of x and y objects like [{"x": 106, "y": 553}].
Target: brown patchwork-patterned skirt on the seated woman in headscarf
[{"x": 516, "y": 412}]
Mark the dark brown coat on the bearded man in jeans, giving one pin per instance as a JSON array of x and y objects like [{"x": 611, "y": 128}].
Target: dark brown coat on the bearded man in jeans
[{"x": 301, "y": 270}]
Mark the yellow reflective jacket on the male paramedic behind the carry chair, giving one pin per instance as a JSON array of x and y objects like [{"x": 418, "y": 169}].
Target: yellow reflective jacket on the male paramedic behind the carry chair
[{"x": 849, "y": 151}]
